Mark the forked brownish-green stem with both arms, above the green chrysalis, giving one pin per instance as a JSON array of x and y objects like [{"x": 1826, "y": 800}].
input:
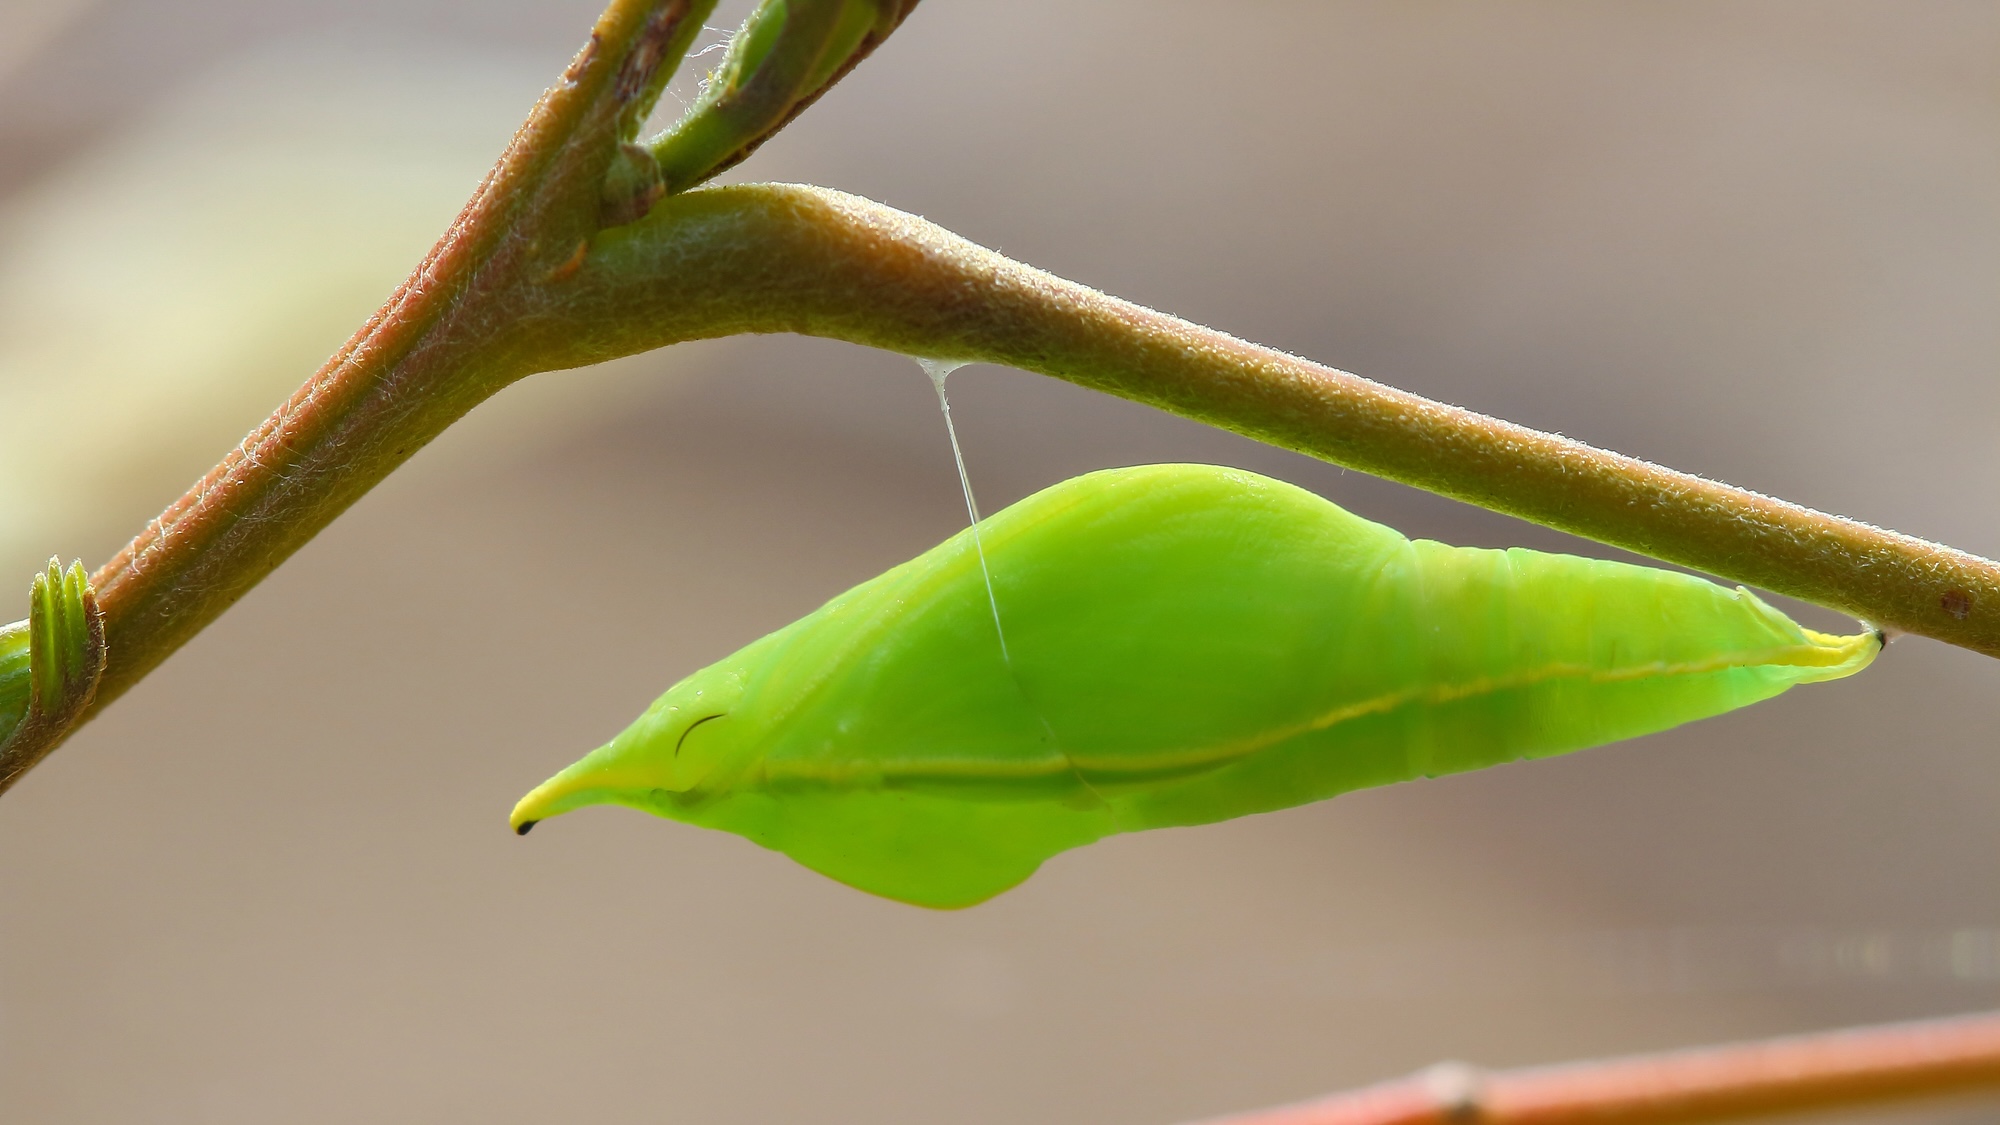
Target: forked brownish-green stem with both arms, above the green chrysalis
[{"x": 527, "y": 281}]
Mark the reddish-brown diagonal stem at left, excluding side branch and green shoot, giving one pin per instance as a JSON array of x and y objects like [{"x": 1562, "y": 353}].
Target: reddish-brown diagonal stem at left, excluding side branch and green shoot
[{"x": 437, "y": 349}]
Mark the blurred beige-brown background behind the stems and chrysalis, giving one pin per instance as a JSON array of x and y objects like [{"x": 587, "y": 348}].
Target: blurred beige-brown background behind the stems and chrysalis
[{"x": 275, "y": 884}]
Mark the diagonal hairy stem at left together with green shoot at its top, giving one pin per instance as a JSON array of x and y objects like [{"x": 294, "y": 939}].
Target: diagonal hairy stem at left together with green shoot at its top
[{"x": 471, "y": 319}]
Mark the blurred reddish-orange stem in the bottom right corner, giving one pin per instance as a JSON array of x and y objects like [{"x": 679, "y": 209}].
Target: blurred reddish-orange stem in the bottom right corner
[{"x": 1709, "y": 1084}]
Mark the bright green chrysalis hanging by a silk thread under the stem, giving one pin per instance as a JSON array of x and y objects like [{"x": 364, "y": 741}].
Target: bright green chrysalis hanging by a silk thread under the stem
[{"x": 1183, "y": 646}]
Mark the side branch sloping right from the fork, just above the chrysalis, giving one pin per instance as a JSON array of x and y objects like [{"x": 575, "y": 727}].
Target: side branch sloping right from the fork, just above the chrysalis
[{"x": 795, "y": 259}]
